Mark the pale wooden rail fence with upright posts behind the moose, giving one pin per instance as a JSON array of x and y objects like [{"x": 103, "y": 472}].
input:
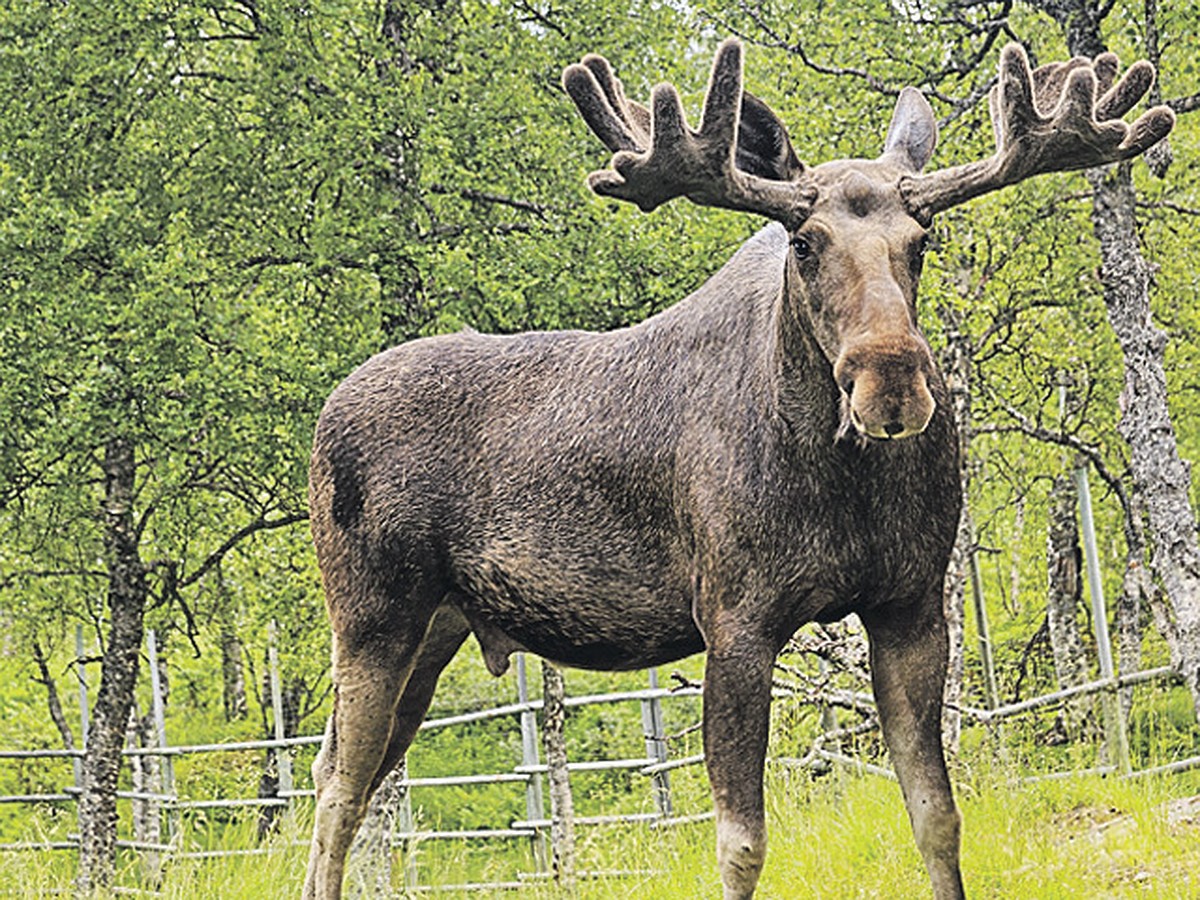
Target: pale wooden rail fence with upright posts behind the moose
[{"x": 655, "y": 766}]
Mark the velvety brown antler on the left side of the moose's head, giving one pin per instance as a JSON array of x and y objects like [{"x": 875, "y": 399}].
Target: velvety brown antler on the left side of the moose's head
[{"x": 658, "y": 158}]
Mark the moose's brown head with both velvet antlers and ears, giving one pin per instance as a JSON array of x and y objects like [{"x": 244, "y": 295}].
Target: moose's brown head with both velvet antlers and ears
[{"x": 859, "y": 227}]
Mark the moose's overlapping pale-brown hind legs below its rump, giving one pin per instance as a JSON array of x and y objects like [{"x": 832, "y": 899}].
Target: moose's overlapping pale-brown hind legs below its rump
[{"x": 369, "y": 681}]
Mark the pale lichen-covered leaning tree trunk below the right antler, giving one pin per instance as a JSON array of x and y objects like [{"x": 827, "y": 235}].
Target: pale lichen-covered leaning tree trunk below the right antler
[{"x": 1161, "y": 478}]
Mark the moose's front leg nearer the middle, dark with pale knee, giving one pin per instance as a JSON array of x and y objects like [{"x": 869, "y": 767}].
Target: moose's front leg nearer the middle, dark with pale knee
[{"x": 737, "y": 712}]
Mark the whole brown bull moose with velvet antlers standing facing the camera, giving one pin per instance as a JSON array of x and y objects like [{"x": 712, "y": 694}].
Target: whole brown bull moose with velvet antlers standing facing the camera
[{"x": 776, "y": 449}]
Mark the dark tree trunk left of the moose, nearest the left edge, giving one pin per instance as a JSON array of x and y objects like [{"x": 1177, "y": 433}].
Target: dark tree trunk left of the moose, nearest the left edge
[{"x": 118, "y": 673}]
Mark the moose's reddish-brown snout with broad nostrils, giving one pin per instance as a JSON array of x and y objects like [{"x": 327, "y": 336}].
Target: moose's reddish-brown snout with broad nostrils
[{"x": 885, "y": 388}]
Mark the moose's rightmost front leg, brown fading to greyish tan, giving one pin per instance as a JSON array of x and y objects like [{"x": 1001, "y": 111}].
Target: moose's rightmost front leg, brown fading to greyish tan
[{"x": 909, "y": 661}]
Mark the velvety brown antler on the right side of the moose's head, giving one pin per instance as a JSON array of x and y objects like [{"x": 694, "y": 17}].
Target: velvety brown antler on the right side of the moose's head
[{"x": 1048, "y": 121}]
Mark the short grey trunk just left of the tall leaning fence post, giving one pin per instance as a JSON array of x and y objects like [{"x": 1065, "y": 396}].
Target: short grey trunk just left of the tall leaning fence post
[{"x": 1064, "y": 599}]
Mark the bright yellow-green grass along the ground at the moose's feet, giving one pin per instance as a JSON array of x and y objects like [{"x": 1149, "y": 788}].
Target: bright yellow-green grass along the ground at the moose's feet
[{"x": 842, "y": 837}]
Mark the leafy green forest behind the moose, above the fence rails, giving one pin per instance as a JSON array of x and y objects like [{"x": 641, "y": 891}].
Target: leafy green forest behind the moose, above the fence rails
[{"x": 211, "y": 213}]
